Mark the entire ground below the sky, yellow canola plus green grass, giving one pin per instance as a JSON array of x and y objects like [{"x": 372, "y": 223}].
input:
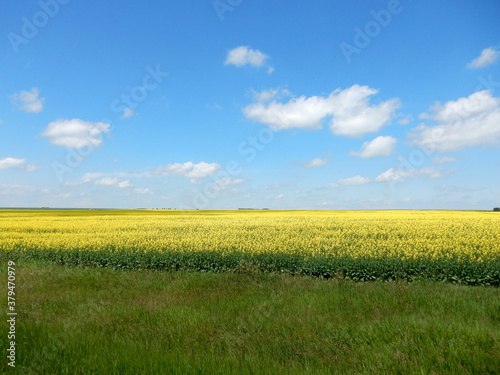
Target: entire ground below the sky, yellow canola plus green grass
[{"x": 225, "y": 292}]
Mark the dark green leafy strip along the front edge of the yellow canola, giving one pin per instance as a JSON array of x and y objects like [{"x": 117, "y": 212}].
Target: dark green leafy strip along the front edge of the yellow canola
[{"x": 360, "y": 269}]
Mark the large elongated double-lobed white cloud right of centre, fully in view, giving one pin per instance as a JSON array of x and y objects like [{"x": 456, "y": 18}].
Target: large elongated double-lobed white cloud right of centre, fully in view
[{"x": 353, "y": 115}]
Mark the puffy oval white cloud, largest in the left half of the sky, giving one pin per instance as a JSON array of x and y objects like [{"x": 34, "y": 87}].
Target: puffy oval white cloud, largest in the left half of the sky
[{"x": 75, "y": 133}]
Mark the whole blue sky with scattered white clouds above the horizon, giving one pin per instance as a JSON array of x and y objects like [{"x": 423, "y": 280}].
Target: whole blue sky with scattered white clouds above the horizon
[{"x": 238, "y": 103}]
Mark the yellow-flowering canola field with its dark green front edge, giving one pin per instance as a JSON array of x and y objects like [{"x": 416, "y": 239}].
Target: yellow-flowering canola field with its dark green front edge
[{"x": 455, "y": 246}]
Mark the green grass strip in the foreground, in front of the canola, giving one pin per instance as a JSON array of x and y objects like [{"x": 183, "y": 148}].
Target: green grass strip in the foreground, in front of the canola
[{"x": 102, "y": 321}]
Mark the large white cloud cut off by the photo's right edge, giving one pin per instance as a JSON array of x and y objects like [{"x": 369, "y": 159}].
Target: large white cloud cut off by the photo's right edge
[{"x": 466, "y": 122}]
